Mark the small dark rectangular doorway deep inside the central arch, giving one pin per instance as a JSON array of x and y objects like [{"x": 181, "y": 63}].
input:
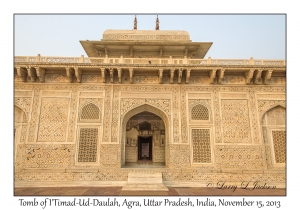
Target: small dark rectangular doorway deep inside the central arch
[{"x": 145, "y": 148}]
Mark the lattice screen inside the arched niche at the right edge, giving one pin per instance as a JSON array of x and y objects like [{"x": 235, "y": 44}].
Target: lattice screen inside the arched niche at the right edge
[{"x": 279, "y": 142}]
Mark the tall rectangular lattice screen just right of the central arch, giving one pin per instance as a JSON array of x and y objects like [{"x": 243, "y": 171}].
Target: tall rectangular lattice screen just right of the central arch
[{"x": 201, "y": 146}]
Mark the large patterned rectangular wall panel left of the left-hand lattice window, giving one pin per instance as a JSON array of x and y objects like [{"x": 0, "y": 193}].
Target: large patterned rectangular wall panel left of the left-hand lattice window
[{"x": 53, "y": 119}]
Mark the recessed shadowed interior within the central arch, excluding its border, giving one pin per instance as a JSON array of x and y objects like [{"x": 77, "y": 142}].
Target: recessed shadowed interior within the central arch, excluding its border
[{"x": 145, "y": 140}]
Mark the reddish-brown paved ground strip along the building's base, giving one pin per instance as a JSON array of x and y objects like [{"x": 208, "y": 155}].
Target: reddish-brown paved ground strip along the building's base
[{"x": 117, "y": 191}]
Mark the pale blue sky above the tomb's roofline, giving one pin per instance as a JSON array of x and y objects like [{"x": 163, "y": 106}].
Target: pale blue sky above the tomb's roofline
[{"x": 233, "y": 36}]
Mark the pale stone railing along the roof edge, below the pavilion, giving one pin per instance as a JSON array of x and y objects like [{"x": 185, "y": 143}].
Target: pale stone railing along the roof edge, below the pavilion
[{"x": 121, "y": 60}]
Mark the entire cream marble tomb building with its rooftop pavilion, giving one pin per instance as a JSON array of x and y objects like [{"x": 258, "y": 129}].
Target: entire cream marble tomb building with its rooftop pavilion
[{"x": 146, "y": 105}]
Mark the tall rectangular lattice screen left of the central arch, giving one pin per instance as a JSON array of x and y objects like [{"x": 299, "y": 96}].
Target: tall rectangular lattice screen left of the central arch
[{"x": 88, "y": 141}]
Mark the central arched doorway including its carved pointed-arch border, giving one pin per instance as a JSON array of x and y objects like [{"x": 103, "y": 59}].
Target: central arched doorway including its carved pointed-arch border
[{"x": 145, "y": 133}]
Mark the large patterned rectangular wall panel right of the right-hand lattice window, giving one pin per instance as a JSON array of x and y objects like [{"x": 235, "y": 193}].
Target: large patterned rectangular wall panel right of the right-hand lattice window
[{"x": 235, "y": 120}]
